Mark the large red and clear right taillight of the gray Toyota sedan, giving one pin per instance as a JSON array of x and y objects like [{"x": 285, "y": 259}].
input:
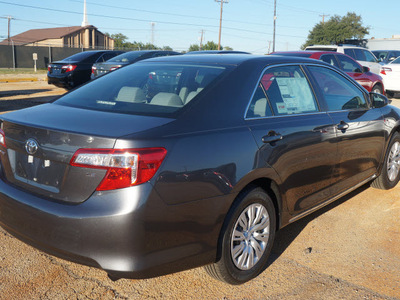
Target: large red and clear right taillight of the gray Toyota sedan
[{"x": 125, "y": 167}]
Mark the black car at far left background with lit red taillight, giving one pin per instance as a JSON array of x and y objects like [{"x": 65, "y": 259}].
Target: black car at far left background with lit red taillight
[{"x": 76, "y": 69}]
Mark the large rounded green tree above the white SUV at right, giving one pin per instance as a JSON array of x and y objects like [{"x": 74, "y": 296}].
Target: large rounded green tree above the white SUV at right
[{"x": 337, "y": 30}]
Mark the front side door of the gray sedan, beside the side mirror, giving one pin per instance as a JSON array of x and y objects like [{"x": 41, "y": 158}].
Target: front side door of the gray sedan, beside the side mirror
[{"x": 359, "y": 128}]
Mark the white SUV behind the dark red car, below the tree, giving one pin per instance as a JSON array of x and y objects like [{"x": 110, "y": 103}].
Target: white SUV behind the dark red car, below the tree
[{"x": 362, "y": 55}]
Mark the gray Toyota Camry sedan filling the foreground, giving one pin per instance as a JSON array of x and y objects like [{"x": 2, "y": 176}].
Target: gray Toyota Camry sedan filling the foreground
[{"x": 195, "y": 160}]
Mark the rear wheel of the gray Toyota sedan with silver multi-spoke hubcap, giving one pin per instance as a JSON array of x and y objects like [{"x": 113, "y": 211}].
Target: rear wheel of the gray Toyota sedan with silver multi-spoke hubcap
[{"x": 245, "y": 267}]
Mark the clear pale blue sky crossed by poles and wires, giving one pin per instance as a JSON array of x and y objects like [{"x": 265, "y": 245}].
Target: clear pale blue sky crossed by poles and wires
[{"x": 247, "y": 25}]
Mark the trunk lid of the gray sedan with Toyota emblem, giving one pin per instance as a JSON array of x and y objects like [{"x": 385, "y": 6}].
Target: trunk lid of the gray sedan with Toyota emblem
[{"x": 39, "y": 151}]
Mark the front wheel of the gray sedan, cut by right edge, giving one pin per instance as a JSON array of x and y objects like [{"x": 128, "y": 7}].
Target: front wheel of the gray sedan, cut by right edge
[{"x": 390, "y": 173}]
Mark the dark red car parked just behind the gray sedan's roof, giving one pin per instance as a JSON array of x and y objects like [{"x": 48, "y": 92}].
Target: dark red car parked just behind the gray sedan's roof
[{"x": 370, "y": 81}]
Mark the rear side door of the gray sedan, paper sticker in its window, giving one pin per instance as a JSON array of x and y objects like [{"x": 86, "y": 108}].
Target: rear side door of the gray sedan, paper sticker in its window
[{"x": 294, "y": 136}]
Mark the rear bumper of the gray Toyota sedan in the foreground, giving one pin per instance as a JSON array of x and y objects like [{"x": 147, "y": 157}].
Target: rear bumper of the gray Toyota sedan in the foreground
[{"x": 129, "y": 233}]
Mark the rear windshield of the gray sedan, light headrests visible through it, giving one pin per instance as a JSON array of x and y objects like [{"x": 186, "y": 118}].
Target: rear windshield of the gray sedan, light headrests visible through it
[{"x": 156, "y": 89}]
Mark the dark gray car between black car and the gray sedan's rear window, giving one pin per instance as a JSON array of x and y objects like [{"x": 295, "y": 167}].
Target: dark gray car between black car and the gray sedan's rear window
[{"x": 101, "y": 68}]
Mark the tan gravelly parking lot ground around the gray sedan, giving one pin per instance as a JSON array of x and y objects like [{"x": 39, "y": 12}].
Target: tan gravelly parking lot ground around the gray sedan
[{"x": 347, "y": 250}]
